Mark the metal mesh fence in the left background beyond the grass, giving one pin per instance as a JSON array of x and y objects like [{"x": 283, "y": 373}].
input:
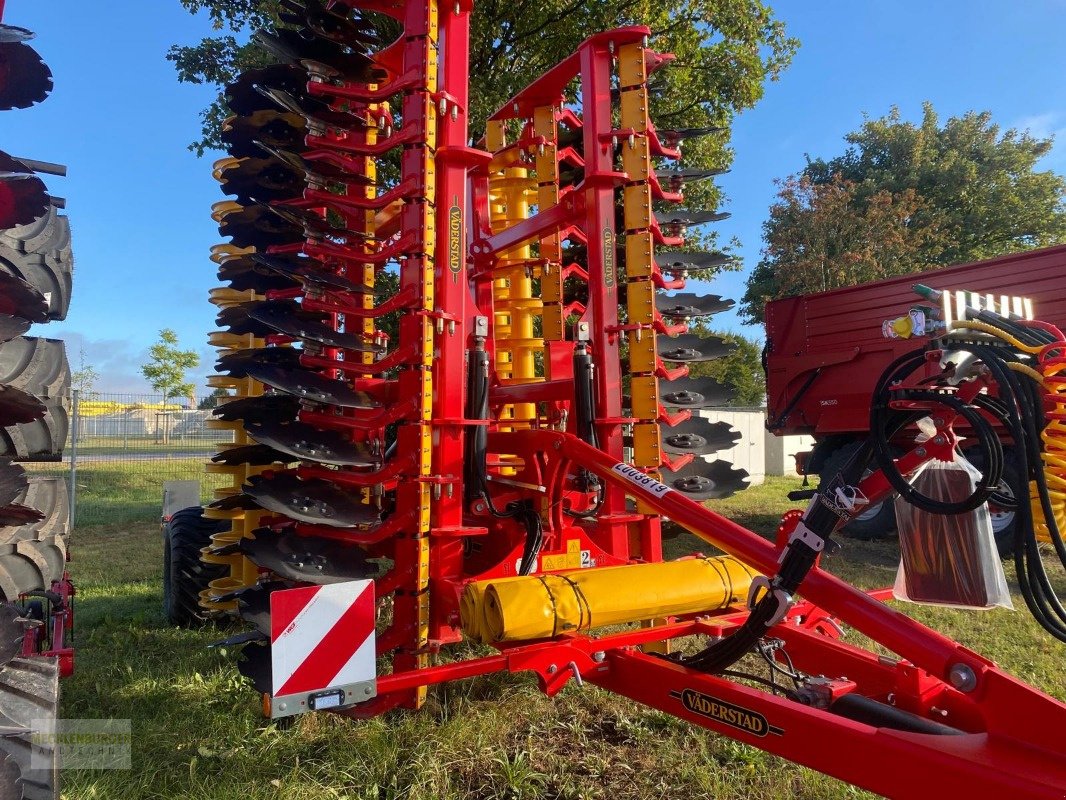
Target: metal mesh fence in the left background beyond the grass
[{"x": 121, "y": 450}]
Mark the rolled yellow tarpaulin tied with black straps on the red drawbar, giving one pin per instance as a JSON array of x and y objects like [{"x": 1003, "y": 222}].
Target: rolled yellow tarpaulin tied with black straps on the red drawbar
[{"x": 545, "y": 606}]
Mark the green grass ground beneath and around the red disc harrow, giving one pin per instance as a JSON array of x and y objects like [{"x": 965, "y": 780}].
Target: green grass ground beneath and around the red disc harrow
[{"x": 198, "y": 733}]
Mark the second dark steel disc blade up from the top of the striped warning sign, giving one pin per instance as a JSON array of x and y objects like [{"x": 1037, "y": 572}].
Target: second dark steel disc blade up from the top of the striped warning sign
[{"x": 315, "y": 501}]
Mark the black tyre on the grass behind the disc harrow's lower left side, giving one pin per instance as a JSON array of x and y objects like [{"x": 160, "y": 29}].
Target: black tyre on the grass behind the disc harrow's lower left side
[{"x": 185, "y": 575}]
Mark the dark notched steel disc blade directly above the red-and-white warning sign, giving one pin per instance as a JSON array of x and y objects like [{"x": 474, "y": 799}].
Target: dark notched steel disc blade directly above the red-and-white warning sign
[{"x": 312, "y": 559}]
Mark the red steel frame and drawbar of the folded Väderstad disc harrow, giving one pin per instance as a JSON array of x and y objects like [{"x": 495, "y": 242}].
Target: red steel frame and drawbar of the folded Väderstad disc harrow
[{"x": 1012, "y": 733}]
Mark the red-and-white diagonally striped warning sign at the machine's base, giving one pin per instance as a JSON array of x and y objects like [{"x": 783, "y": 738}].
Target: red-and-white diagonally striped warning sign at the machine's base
[{"x": 322, "y": 637}]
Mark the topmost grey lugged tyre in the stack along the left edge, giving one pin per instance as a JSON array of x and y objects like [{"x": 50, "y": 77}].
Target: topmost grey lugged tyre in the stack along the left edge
[{"x": 40, "y": 253}]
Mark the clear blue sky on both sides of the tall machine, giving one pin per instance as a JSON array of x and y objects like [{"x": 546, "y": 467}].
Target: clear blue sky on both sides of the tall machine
[{"x": 140, "y": 202}]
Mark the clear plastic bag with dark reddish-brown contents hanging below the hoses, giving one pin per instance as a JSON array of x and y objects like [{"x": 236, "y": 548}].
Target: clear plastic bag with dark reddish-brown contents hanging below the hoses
[{"x": 949, "y": 559}]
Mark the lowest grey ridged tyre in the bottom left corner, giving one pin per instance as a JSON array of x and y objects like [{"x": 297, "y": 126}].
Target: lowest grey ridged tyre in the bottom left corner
[{"x": 29, "y": 694}]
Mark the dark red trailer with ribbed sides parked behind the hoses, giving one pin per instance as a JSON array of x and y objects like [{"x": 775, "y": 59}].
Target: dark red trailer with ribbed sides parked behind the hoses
[{"x": 826, "y": 353}]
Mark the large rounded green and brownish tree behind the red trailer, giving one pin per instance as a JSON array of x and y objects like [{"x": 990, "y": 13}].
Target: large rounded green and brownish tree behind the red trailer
[{"x": 908, "y": 198}]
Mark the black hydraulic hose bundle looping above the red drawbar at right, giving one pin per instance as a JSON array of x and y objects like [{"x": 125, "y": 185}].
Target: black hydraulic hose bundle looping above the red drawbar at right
[{"x": 1028, "y": 363}]
